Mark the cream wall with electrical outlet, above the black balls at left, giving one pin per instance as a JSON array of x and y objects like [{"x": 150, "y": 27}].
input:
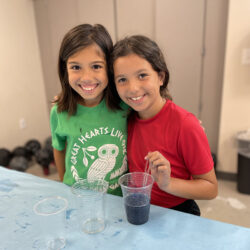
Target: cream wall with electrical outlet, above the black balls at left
[{"x": 22, "y": 88}]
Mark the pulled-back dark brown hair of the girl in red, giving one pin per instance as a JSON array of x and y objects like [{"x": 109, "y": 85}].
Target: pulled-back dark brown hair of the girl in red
[{"x": 147, "y": 49}]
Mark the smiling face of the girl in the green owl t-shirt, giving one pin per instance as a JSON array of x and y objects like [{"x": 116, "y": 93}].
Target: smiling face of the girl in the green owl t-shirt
[{"x": 87, "y": 74}]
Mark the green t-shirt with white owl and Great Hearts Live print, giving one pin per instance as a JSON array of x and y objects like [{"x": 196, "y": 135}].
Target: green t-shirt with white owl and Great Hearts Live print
[{"x": 96, "y": 140}]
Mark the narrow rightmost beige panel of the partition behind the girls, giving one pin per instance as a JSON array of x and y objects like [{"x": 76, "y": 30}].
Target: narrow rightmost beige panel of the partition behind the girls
[{"x": 211, "y": 90}]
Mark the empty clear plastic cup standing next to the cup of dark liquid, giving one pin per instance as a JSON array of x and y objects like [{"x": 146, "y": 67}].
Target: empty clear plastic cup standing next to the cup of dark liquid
[{"x": 90, "y": 203}]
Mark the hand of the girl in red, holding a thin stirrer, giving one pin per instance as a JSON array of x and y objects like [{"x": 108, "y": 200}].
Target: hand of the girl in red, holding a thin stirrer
[{"x": 160, "y": 168}]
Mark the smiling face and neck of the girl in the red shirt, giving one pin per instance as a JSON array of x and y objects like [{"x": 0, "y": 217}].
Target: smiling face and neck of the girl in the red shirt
[{"x": 138, "y": 85}]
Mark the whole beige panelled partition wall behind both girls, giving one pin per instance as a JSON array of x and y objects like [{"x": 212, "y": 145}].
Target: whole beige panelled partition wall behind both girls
[{"x": 177, "y": 26}]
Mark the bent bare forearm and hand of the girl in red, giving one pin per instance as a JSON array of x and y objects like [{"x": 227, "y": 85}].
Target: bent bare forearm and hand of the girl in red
[{"x": 201, "y": 187}]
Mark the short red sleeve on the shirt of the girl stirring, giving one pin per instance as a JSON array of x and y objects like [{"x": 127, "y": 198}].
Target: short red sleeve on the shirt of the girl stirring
[{"x": 194, "y": 147}]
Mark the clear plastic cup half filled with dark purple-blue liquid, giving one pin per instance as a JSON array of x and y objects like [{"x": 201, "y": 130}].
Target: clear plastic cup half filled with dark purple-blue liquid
[{"x": 136, "y": 190}]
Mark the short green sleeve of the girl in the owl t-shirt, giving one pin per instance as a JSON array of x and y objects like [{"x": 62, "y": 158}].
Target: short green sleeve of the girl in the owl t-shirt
[{"x": 58, "y": 140}]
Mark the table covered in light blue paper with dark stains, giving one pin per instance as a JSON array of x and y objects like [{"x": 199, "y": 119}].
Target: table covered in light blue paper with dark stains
[{"x": 166, "y": 228}]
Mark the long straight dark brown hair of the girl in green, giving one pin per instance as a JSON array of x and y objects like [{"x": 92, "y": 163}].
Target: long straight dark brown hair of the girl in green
[{"x": 77, "y": 39}]
